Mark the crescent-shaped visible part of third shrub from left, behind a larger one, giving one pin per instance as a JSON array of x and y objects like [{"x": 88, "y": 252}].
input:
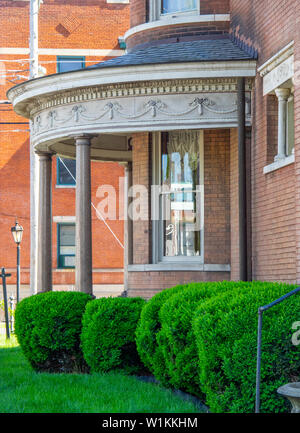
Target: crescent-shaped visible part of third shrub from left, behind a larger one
[{"x": 147, "y": 330}]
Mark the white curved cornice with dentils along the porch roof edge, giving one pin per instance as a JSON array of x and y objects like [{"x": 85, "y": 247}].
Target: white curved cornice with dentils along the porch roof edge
[{"x": 84, "y": 84}]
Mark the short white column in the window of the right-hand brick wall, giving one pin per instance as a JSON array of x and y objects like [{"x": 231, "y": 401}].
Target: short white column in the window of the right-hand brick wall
[{"x": 283, "y": 96}]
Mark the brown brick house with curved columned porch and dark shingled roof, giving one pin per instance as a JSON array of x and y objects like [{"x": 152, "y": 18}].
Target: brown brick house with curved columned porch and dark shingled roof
[{"x": 202, "y": 109}]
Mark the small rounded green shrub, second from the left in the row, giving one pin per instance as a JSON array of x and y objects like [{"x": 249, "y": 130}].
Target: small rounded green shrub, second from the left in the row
[{"x": 108, "y": 334}]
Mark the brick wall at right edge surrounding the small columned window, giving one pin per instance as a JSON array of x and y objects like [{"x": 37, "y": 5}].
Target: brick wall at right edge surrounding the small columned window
[{"x": 268, "y": 26}]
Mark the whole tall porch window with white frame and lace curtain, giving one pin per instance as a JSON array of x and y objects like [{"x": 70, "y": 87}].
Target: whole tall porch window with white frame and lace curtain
[{"x": 178, "y": 231}]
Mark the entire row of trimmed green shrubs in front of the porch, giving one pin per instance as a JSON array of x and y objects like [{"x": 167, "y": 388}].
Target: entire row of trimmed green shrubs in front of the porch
[{"x": 200, "y": 338}]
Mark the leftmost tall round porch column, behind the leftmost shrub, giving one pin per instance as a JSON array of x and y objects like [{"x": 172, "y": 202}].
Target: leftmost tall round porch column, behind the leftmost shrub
[{"x": 44, "y": 232}]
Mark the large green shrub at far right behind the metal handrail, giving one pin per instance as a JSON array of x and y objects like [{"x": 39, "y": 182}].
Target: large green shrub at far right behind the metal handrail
[{"x": 225, "y": 329}]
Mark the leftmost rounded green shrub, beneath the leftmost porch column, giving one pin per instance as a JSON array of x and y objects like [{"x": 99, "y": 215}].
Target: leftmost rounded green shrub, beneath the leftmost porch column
[{"x": 48, "y": 327}]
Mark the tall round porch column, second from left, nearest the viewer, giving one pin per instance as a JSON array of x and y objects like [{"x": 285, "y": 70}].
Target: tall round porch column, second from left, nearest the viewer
[{"x": 83, "y": 267}]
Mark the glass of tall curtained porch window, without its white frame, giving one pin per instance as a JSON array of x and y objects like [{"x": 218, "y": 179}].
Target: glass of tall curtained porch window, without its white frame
[{"x": 181, "y": 198}]
